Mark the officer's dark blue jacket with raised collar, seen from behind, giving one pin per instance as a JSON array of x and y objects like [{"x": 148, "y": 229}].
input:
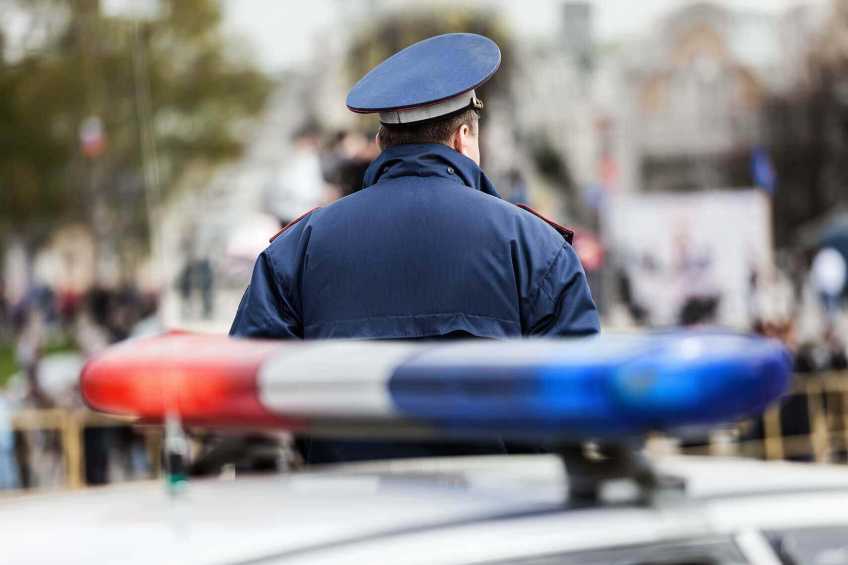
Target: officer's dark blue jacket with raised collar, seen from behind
[{"x": 426, "y": 249}]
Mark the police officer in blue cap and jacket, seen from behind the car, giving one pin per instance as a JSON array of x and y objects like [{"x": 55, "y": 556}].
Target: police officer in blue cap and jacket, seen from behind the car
[{"x": 427, "y": 249}]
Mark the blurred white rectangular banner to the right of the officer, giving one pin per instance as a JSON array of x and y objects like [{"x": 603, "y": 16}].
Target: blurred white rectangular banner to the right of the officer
[{"x": 689, "y": 257}]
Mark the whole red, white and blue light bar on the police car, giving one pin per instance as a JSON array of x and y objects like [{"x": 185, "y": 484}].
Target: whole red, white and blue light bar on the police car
[{"x": 602, "y": 387}]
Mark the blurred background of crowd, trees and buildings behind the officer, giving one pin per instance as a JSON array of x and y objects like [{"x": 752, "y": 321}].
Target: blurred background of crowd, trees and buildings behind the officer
[{"x": 149, "y": 149}]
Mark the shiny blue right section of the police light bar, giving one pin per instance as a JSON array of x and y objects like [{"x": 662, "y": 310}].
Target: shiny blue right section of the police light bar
[{"x": 603, "y": 387}]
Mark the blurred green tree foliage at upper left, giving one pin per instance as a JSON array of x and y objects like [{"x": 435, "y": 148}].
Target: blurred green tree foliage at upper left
[{"x": 92, "y": 65}]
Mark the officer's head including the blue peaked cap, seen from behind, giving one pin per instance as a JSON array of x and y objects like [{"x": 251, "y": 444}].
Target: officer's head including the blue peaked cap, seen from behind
[{"x": 426, "y": 92}]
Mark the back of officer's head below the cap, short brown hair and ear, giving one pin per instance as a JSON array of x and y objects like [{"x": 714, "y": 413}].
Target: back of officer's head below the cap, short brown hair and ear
[{"x": 458, "y": 131}]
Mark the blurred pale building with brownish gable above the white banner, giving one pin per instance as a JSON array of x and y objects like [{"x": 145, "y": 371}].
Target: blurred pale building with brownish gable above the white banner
[{"x": 696, "y": 89}]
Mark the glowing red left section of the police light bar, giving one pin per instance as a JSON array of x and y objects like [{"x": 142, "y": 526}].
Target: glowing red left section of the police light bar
[{"x": 205, "y": 379}]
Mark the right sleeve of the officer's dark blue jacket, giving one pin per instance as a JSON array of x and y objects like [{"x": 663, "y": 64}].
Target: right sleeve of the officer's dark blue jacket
[{"x": 561, "y": 304}]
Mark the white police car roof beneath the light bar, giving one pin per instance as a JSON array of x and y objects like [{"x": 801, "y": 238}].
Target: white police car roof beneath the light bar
[{"x": 458, "y": 510}]
